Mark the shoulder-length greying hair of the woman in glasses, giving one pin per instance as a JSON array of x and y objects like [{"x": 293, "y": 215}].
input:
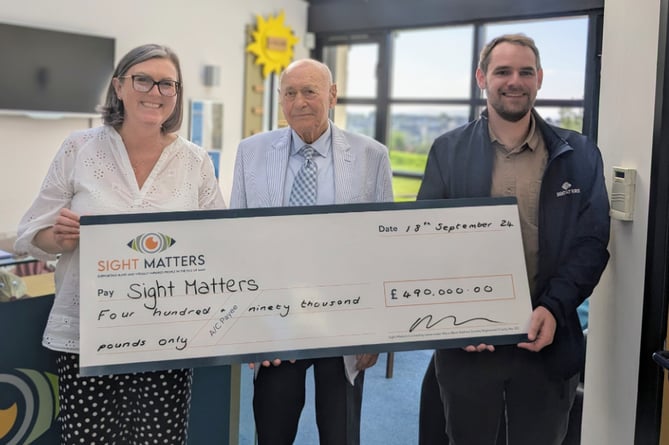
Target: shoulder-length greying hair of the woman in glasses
[{"x": 113, "y": 112}]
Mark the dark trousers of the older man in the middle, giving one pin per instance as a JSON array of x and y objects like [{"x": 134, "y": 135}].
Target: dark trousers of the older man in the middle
[{"x": 279, "y": 395}]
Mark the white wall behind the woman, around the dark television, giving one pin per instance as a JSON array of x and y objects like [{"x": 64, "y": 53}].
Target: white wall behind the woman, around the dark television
[{"x": 202, "y": 32}]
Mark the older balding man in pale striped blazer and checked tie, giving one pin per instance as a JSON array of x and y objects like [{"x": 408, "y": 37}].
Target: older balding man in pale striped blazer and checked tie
[{"x": 310, "y": 162}]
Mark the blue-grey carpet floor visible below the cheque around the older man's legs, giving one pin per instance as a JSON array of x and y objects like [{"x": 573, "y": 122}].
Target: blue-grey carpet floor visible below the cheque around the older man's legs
[{"x": 389, "y": 407}]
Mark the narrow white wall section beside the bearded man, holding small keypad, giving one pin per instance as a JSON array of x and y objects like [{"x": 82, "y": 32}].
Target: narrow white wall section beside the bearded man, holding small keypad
[{"x": 627, "y": 100}]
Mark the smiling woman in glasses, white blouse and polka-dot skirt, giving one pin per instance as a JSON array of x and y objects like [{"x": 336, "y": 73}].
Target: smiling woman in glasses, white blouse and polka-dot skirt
[{"x": 134, "y": 163}]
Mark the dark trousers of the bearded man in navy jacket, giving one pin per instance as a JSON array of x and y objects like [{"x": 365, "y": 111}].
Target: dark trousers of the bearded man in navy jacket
[{"x": 481, "y": 390}]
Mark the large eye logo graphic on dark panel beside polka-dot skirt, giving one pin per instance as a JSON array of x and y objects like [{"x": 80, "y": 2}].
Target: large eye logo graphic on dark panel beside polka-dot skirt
[{"x": 28, "y": 405}]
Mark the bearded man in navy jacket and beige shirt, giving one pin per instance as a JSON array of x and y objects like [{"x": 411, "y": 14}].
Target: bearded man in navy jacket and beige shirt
[{"x": 556, "y": 175}]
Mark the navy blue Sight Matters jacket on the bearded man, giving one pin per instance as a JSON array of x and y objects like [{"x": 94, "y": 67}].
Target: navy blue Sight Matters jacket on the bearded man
[{"x": 573, "y": 220}]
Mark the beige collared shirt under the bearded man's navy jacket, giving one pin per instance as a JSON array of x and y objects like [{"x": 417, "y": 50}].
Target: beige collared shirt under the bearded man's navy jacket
[{"x": 517, "y": 171}]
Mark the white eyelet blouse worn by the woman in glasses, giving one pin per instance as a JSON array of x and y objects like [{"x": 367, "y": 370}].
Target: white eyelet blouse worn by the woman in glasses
[{"x": 91, "y": 174}]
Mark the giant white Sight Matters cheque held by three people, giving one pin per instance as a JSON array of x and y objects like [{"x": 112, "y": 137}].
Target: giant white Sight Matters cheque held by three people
[{"x": 199, "y": 288}]
